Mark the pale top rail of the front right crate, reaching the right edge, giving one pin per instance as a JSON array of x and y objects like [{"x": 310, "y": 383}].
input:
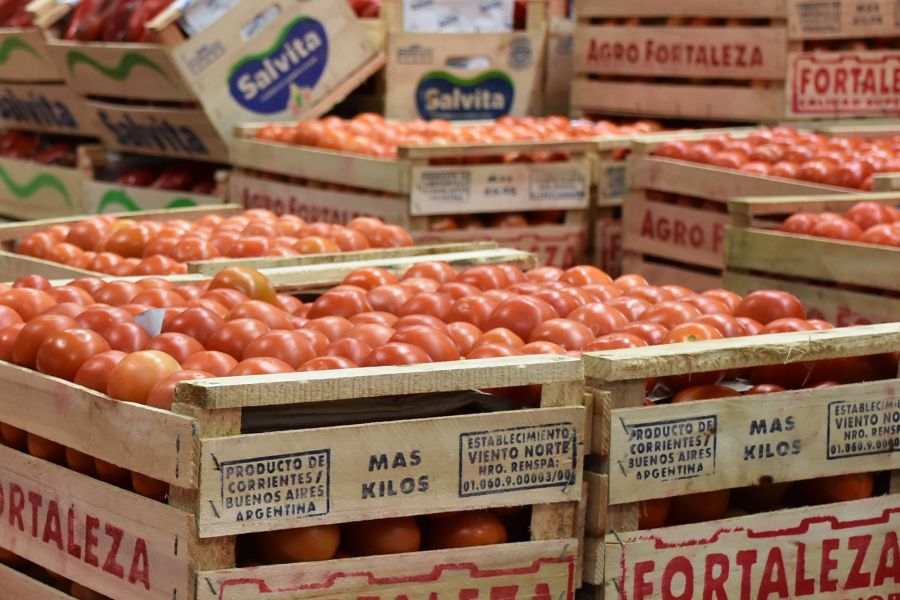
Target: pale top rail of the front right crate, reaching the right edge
[{"x": 714, "y": 355}]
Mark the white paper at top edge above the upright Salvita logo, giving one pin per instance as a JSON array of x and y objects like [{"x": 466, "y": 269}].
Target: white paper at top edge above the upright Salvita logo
[{"x": 457, "y": 16}]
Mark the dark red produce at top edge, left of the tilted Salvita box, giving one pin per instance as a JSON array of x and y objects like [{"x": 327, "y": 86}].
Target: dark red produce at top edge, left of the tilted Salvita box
[{"x": 114, "y": 20}]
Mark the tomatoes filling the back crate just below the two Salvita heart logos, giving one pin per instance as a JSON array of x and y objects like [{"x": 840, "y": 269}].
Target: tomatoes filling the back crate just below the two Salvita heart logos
[{"x": 373, "y": 135}]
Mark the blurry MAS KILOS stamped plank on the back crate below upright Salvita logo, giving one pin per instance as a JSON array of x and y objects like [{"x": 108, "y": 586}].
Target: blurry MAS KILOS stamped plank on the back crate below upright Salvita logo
[{"x": 466, "y": 190}]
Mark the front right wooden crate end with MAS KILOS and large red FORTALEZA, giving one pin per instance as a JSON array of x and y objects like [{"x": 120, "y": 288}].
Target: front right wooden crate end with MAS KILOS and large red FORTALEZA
[{"x": 781, "y": 437}]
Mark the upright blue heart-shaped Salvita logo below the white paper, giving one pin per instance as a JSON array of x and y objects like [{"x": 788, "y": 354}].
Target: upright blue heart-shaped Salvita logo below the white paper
[{"x": 441, "y": 95}]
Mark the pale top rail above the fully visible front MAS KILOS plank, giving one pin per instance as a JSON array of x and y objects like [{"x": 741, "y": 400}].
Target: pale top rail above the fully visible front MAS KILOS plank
[{"x": 371, "y": 382}]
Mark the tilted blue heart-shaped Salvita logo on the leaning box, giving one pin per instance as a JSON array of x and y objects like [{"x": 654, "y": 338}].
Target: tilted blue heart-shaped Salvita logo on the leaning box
[{"x": 283, "y": 76}]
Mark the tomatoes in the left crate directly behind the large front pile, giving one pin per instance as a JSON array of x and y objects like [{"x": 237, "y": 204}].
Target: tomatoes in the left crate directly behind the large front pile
[{"x": 123, "y": 247}]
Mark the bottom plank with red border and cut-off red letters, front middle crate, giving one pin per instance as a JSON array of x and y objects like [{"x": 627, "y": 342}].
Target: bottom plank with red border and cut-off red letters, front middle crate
[{"x": 534, "y": 568}]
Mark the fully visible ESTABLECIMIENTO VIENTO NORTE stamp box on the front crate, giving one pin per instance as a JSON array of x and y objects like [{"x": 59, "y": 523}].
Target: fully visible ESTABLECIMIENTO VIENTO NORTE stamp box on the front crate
[{"x": 522, "y": 458}]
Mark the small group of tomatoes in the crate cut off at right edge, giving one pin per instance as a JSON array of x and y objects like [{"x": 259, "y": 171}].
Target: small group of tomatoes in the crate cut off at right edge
[{"x": 864, "y": 222}]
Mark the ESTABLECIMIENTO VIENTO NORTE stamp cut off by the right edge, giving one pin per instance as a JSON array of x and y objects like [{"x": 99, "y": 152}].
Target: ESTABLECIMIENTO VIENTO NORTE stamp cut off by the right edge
[{"x": 863, "y": 428}]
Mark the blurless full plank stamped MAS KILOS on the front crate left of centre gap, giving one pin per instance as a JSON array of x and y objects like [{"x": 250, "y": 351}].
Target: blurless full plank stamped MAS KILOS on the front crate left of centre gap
[{"x": 340, "y": 474}]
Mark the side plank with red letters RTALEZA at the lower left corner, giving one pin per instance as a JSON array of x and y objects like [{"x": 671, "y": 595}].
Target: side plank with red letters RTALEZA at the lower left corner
[{"x": 115, "y": 542}]
